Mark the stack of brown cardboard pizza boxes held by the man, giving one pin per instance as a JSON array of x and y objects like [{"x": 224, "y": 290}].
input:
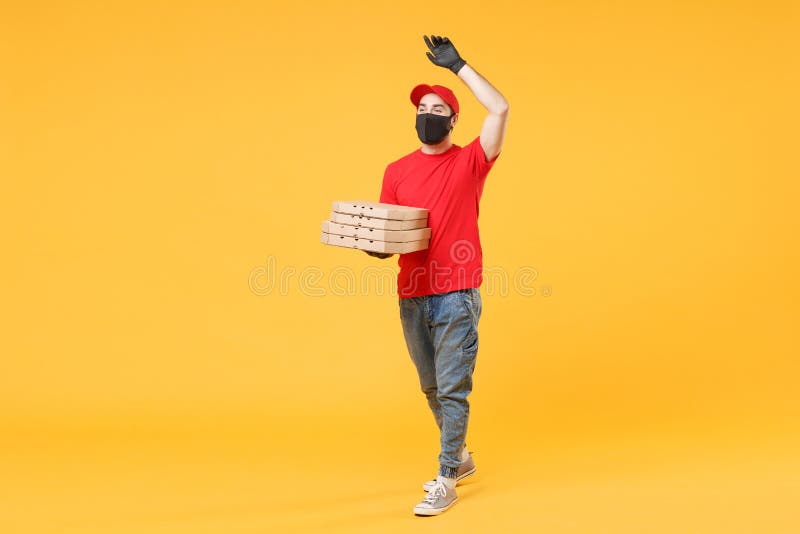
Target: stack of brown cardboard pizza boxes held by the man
[{"x": 377, "y": 227}]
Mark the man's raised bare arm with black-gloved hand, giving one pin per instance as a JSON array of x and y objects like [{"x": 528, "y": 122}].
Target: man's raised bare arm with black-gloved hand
[{"x": 444, "y": 54}]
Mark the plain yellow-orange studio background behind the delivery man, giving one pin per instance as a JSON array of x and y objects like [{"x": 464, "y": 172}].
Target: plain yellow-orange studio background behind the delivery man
[{"x": 156, "y": 157}]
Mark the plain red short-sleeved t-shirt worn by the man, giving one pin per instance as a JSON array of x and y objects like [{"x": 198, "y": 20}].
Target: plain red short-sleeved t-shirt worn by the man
[{"x": 449, "y": 185}]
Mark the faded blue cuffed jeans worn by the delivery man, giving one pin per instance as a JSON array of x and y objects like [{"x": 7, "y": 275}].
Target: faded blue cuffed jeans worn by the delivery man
[{"x": 441, "y": 333}]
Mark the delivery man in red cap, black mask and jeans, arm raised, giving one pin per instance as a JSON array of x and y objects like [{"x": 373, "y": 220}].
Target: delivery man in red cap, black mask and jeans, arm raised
[{"x": 438, "y": 288}]
